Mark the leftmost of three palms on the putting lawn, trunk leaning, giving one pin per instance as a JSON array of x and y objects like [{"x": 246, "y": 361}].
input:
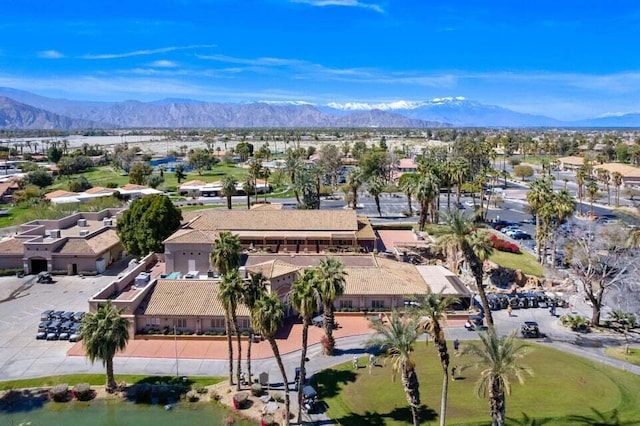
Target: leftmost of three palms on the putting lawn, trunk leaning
[{"x": 397, "y": 338}]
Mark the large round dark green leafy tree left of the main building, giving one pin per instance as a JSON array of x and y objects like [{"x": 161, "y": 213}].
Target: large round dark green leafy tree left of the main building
[{"x": 147, "y": 223}]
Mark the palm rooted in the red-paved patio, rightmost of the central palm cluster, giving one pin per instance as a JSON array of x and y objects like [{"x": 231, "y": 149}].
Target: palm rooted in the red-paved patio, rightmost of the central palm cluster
[{"x": 331, "y": 282}]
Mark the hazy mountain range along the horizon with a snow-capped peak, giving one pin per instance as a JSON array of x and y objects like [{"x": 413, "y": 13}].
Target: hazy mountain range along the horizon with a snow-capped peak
[{"x": 25, "y": 110}]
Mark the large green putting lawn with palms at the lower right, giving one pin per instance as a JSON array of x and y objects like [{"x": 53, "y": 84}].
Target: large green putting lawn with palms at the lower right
[{"x": 563, "y": 386}]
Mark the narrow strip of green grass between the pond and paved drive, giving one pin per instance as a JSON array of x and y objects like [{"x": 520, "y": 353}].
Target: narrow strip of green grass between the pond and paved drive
[{"x": 99, "y": 379}]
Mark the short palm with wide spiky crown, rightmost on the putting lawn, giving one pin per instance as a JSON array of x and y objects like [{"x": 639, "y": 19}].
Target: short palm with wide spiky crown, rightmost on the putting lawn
[{"x": 498, "y": 357}]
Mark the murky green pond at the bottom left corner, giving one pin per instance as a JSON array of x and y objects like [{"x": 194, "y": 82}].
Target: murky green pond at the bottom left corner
[{"x": 119, "y": 413}]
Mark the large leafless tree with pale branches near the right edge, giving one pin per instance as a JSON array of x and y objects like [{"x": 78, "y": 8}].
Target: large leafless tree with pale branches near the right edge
[{"x": 600, "y": 262}]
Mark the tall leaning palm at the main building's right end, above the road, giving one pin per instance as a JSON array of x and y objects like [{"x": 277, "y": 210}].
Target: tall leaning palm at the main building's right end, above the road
[{"x": 458, "y": 235}]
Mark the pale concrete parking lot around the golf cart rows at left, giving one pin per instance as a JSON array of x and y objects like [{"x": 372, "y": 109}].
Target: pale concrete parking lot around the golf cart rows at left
[{"x": 22, "y": 300}]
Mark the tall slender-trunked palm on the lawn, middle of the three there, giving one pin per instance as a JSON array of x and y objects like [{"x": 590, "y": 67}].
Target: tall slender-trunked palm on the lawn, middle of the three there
[{"x": 434, "y": 307}]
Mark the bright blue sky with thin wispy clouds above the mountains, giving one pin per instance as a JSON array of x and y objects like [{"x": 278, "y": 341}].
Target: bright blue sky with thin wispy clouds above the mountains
[{"x": 567, "y": 59}]
